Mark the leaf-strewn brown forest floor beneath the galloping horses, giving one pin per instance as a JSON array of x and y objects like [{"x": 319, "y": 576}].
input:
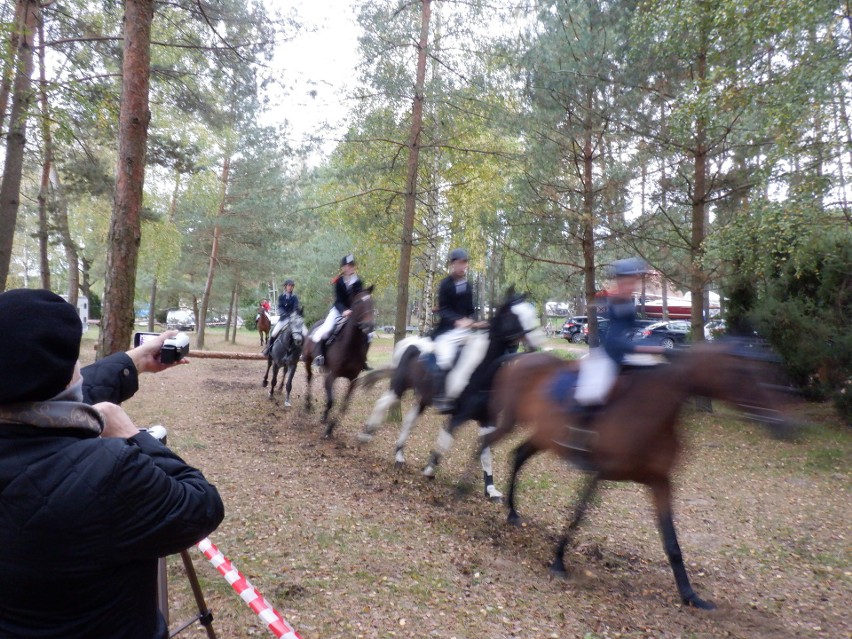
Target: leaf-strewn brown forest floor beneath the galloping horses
[{"x": 345, "y": 545}]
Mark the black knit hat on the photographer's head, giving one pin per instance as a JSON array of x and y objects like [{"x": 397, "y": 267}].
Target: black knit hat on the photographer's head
[{"x": 39, "y": 345}]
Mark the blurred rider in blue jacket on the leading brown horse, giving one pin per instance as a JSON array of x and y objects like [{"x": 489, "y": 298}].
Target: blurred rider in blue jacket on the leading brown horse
[{"x": 600, "y": 369}]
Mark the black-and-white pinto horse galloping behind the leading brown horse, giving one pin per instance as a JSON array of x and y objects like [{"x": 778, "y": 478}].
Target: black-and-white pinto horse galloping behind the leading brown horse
[{"x": 515, "y": 321}]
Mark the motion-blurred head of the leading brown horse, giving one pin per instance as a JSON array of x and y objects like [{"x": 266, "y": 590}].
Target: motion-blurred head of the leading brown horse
[{"x": 735, "y": 373}]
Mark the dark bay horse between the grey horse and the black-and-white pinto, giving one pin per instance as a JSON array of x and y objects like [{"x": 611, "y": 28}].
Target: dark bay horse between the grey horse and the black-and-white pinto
[{"x": 345, "y": 356}]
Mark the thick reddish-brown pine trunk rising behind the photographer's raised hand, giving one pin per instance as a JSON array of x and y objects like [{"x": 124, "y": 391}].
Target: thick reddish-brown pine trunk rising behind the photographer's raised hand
[{"x": 125, "y": 232}]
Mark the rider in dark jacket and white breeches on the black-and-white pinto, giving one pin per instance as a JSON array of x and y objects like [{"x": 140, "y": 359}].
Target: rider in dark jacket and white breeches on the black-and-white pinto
[{"x": 455, "y": 309}]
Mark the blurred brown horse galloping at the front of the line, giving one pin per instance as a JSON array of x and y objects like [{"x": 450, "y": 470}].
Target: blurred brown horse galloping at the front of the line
[{"x": 634, "y": 437}]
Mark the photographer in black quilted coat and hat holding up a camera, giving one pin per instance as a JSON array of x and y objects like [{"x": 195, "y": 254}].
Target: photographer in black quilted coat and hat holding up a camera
[{"x": 89, "y": 502}]
